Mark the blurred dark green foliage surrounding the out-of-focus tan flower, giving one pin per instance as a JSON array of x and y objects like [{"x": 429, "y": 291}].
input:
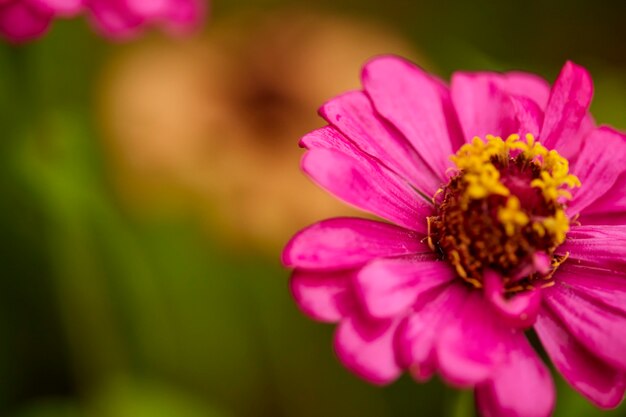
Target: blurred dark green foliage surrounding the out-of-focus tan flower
[{"x": 103, "y": 314}]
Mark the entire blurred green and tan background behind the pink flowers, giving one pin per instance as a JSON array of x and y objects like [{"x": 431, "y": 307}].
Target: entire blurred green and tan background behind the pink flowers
[{"x": 146, "y": 190}]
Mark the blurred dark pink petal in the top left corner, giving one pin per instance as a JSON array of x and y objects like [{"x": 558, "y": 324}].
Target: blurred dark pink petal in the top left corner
[{"x": 20, "y": 22}]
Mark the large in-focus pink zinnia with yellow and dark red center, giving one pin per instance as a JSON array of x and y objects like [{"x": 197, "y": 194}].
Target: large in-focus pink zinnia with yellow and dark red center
[{"x": 509, "y": 215}]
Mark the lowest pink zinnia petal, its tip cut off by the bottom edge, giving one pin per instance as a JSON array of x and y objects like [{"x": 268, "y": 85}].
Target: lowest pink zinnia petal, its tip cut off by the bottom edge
[{"x": 522, "y": 387}]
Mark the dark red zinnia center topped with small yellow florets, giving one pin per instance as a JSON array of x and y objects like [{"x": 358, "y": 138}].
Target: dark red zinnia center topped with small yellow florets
[{"x": 503, "y": 210}]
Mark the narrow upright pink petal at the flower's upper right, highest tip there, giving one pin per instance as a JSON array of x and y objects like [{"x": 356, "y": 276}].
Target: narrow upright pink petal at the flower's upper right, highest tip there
[{"x": 567, "y": 109}]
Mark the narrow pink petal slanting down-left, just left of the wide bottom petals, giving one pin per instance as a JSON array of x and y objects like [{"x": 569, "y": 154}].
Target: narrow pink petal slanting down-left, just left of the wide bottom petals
[{"x": 418, "y": 334}]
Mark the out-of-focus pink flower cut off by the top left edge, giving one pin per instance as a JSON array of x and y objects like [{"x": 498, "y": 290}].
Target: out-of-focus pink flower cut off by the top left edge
[{"x": 24, "y": 20}]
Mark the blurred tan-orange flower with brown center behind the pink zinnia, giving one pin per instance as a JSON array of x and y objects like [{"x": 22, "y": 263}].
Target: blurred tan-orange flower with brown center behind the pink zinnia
[{"x": 211, "y": 125}]
